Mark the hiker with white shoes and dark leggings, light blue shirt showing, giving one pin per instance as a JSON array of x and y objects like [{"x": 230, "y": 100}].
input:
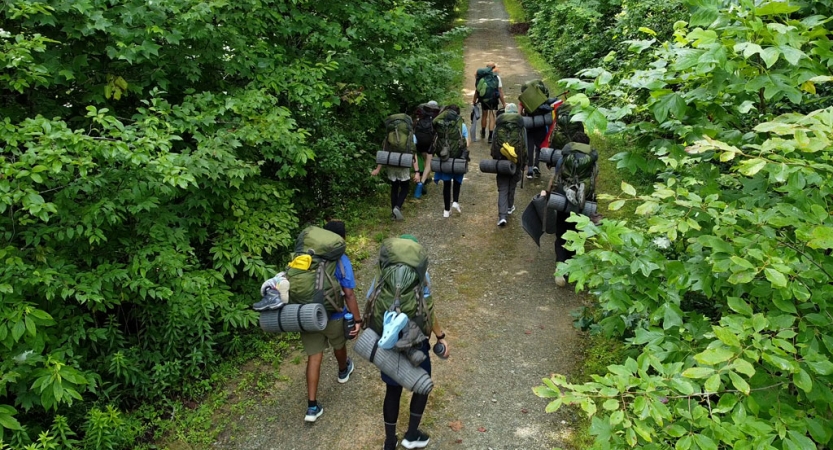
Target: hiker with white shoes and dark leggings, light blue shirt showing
[{"x": 455, "y": 137}]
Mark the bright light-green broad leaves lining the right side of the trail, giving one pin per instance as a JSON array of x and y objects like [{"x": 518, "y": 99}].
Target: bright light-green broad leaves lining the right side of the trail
[{"x": 722, "y": 284}]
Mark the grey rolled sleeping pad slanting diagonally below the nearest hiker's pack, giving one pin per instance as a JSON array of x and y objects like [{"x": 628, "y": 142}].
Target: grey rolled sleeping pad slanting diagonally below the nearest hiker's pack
[{"x": 395, "y": 364}]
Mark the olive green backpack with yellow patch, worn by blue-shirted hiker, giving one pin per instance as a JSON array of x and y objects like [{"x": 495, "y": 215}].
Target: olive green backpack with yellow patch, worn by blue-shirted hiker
[{"x": 311, "y": 273}]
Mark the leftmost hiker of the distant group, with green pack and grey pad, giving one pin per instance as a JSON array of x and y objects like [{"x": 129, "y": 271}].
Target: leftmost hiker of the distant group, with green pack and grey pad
[{"x": 400, "y": 177}]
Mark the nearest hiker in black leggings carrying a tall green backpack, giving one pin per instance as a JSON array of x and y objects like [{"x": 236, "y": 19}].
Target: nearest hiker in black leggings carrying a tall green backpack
[{"x": 381, "y": 300}]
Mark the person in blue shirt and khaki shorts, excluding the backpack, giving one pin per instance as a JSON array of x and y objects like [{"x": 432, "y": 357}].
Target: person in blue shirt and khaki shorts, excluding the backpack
[{"x": 333, "y": 335}]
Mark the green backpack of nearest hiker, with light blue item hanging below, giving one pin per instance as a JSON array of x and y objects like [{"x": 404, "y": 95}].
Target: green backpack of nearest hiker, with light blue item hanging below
[{"x": 399, "y": 285}]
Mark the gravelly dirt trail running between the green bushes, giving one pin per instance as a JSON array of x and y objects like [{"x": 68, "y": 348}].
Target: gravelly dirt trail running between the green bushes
[{"x": 508, "y": 325}]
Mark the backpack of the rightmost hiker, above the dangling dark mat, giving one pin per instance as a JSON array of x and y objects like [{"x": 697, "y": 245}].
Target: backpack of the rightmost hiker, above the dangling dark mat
[{"x": 575, "y": 174}]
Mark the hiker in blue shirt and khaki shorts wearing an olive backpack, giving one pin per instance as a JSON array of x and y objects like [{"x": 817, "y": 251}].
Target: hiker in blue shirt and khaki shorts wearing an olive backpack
[{"x": 333, "y": 335}]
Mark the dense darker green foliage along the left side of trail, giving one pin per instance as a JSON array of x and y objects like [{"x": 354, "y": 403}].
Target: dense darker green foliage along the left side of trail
[{"x": 157, "y": 159}]
